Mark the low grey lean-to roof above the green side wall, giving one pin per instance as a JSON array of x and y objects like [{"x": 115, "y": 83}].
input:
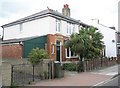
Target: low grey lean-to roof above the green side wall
[{"x": 17, "y": 40}]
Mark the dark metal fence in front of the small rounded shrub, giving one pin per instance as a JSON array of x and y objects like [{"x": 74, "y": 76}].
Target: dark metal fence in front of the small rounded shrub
[{"x": 23, "y": 74}]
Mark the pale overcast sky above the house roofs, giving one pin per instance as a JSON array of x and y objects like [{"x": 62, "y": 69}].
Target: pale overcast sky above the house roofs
[{"x": 104, "y": 10}]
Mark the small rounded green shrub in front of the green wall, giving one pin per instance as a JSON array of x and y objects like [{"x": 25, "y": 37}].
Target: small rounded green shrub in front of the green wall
[{"x": 36, "y": 55}]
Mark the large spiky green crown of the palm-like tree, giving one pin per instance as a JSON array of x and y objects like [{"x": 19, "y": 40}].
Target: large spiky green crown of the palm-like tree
[{"x": 87, "y": 43}]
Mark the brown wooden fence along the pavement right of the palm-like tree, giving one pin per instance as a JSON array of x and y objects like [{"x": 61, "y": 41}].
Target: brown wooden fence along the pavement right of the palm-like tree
[{"x": 92, "y": 64}]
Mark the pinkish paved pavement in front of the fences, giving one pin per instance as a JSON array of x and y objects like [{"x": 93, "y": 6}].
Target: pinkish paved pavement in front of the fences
[{"x": 82, "y": 79}]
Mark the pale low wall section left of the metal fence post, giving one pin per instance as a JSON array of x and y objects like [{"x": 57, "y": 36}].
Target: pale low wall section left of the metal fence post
[{"x": 6, "y": 74}]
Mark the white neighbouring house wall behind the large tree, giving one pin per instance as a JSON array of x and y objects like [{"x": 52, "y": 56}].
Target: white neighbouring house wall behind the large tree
[{"x": 109, "y": 39}]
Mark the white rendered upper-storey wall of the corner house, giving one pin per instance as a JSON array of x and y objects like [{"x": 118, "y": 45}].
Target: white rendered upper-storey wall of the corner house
[{"x": 38, "y": 27}]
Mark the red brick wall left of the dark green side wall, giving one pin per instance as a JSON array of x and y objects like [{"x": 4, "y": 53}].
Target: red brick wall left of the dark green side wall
[{"x": 12, "y": 51}]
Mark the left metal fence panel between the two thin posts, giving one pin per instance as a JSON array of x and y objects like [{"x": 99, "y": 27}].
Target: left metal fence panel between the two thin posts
[{"x": 22, "y": 74}]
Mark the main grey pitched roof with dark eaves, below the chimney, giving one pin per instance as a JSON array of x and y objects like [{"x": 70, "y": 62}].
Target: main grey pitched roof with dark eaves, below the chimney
[{"x": 45, "y": 13}]
